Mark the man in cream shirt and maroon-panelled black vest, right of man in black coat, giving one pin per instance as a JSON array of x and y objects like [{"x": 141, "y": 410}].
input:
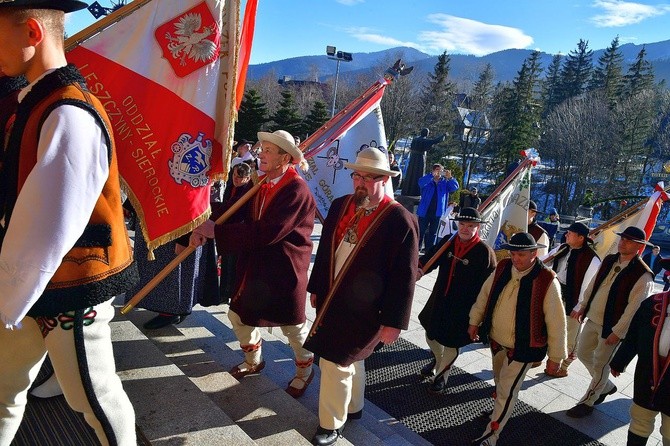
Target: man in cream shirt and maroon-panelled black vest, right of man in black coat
[{"x": 520, "y": 313}]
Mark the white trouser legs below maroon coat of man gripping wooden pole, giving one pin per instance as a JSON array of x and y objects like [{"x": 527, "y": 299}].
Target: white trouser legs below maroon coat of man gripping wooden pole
[{"x": 251, "y": 336}]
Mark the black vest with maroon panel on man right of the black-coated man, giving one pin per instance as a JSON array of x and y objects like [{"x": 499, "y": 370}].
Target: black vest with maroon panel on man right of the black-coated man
[{"x": 530, "y": 334}]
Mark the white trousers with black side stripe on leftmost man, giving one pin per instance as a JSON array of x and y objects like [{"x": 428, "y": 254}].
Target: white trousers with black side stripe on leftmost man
[{"x": 79, "y": 344}]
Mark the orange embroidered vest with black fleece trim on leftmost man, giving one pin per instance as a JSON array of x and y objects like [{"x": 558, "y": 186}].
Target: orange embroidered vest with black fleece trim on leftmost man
[{"x": 100, "y": 265}]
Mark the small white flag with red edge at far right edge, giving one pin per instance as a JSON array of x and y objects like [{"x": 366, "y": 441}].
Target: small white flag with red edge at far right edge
[{"x": 643, "y": 216}]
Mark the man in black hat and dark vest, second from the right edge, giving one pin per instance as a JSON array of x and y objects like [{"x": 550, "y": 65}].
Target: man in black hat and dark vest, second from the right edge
[{"x": 622, "y": 282}]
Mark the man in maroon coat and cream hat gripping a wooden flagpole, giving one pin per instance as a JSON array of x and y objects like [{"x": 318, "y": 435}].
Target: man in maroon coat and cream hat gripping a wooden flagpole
[{"x": 274, "y": 250}]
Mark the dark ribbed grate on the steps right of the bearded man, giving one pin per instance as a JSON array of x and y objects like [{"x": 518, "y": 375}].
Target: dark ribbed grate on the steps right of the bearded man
[{"x": 458, "y": 415}]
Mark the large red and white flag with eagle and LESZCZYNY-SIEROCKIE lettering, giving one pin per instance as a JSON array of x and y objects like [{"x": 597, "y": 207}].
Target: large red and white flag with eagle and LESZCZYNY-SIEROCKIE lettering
[{"x": 166, "y": 74}]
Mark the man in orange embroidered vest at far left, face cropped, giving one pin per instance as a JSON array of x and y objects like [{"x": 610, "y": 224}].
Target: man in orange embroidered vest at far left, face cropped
[{"x": 58, "y": 279}]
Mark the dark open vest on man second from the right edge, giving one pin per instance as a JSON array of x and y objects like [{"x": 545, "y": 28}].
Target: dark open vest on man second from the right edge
[{"x": 623, "y": 284}]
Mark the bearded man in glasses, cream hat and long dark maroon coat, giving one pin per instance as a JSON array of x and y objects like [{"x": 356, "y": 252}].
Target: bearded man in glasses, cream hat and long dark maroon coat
[{"x": 362, "y": 285}]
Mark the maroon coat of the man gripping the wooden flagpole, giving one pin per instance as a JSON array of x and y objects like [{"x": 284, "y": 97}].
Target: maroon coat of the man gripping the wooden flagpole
[{"x": 273, "y": 255}]
